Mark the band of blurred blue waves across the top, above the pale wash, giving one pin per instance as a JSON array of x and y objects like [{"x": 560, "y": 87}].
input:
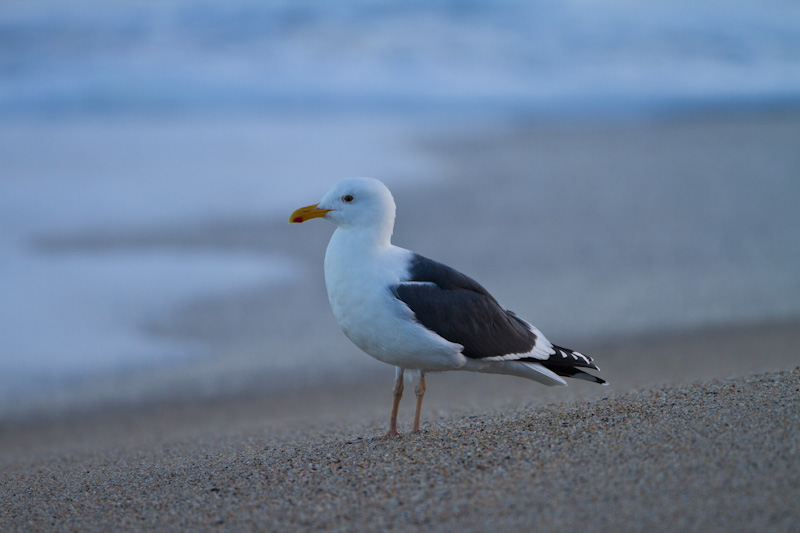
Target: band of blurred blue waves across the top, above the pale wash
[{"x": 538, "y": 56}]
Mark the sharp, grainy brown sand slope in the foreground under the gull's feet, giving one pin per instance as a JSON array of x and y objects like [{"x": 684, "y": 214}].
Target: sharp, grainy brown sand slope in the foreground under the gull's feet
[{"x": 720, "y": 455}]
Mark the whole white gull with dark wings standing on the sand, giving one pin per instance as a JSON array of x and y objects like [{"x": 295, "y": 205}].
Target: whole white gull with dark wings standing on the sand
[{"x": 417, "y": 314}]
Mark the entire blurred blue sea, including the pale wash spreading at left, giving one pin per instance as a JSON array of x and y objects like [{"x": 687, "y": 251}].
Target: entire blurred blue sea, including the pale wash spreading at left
[{"x": 131, "y": 115}]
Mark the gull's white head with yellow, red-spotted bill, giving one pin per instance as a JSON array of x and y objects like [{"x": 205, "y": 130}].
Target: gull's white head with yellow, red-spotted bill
[{"x": 353, "y": 203}]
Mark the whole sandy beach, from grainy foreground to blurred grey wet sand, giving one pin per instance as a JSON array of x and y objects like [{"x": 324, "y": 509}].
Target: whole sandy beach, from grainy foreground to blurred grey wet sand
[{"x": 698, "y": 430}]
